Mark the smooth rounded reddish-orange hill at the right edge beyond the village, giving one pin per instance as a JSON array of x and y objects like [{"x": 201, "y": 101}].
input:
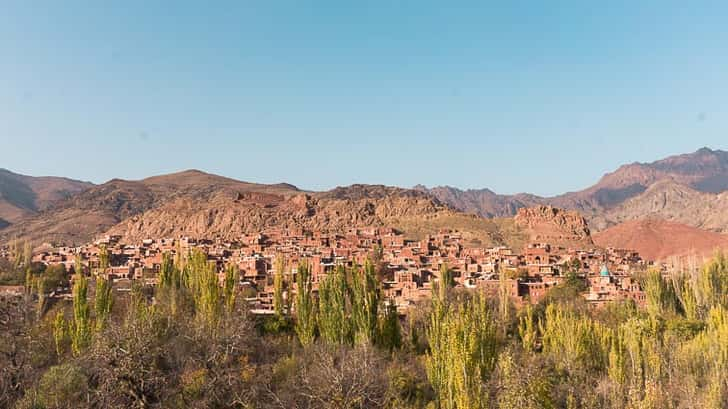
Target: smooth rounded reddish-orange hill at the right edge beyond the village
[{"x": 659, "y": 239}]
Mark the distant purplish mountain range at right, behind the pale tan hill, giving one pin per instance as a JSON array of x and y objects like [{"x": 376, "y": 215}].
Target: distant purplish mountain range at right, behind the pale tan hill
[{"x": 705, "y": 170}]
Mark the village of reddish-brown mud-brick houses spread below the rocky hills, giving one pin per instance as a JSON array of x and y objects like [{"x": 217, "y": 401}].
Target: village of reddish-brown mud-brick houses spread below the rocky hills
[{"x": 407, "y": 268}]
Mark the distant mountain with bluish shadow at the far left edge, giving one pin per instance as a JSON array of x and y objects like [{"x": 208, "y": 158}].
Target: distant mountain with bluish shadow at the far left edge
[{"x": 22, "y": 196}]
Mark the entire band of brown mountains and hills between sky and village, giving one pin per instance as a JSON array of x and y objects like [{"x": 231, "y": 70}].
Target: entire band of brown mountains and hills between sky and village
[{"x": 688, "y": 190}]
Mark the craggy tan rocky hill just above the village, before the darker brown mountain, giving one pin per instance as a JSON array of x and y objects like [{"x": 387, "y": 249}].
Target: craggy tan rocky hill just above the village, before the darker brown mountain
[{"x": 227, "y": 213}]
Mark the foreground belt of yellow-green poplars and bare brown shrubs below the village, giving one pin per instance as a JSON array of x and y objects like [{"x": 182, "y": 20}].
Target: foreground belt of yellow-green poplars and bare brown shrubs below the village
[{"x": 190, "y": 343}]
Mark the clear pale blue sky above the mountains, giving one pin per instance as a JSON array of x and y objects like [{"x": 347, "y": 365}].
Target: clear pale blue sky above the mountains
[{"x": 541, "y": 96}]
